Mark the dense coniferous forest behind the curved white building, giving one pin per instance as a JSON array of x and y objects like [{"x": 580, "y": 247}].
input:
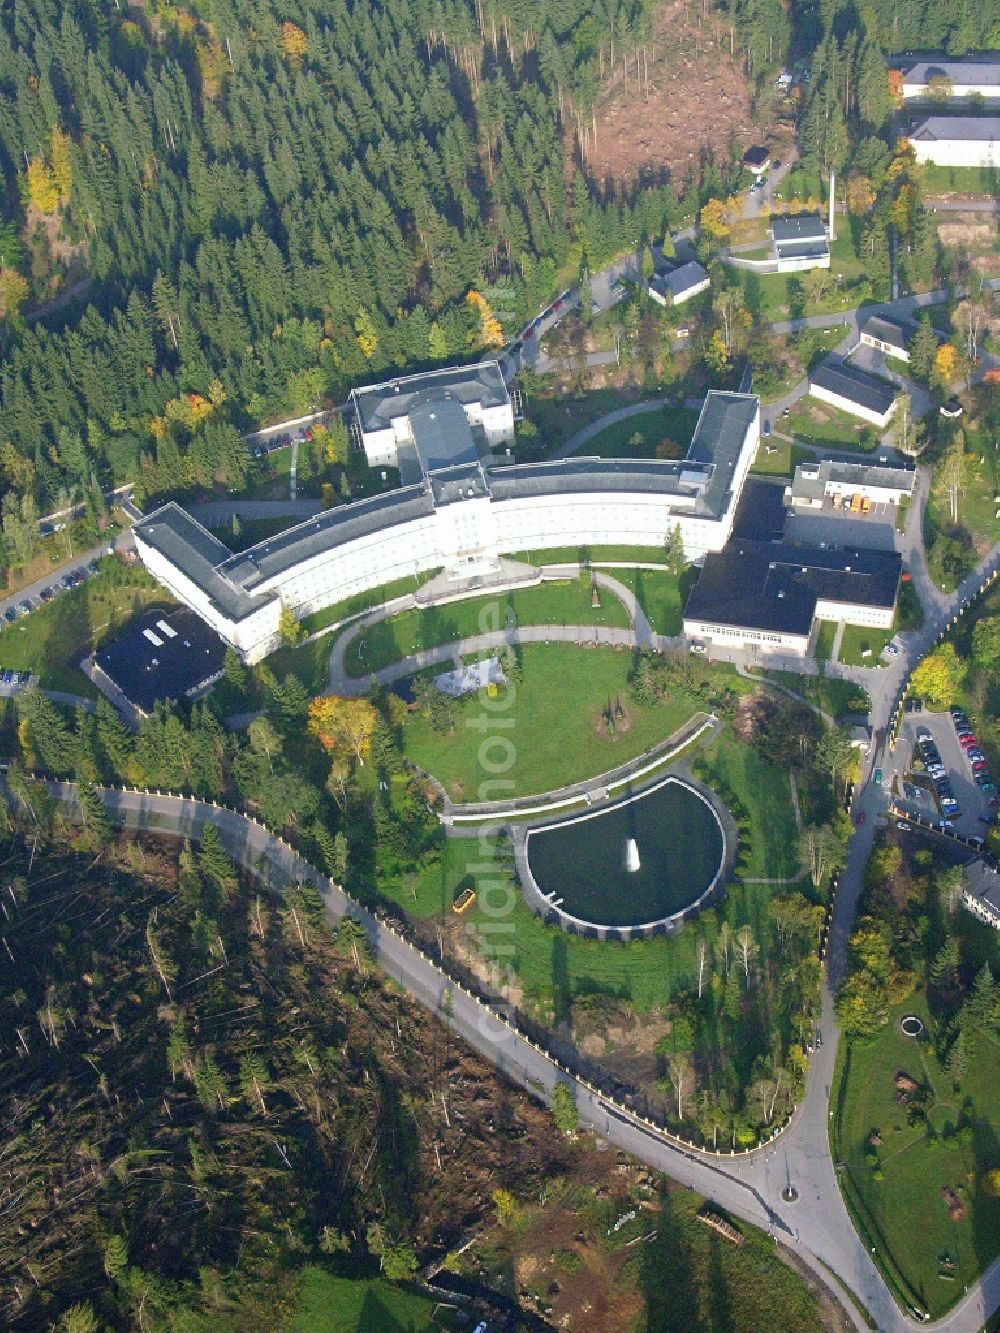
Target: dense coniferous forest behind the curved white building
[{"x": 269, "y": 205}]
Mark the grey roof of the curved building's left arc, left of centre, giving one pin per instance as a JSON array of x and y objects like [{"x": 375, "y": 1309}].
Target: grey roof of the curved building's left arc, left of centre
[{"x": 330, "y": 530}]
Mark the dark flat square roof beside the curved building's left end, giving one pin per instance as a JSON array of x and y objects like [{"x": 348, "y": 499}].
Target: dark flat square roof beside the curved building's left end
[{"x": 183, "y": 659}]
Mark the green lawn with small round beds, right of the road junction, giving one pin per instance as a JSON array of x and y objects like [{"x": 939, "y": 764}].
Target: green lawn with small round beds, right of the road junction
[{"x": 915, "y": 1171}]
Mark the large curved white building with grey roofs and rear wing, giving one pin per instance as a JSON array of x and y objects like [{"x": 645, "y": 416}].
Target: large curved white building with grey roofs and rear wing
[{"x": 459, "y": 510}]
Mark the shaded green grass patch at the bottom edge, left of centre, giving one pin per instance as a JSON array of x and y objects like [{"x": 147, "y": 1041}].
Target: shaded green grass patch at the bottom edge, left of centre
[{"x": 330, "y": 1304}]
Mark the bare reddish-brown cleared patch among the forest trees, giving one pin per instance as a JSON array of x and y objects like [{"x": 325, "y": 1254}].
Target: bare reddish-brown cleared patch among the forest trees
[{"x": 698, "y": 98}]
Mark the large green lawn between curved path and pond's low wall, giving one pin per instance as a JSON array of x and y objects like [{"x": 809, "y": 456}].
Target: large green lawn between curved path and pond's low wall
[{"x": 555, "y": 738}]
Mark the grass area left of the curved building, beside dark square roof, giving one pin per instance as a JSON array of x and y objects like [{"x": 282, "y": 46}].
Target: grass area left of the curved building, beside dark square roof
[{"x": 53, "y": 639}]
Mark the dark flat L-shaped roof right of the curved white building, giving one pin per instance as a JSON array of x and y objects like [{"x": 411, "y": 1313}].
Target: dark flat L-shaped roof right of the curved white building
[{"x": 775, "y": 587}]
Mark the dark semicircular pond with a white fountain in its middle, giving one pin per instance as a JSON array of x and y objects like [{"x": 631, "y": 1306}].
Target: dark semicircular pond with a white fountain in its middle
[{"x": 637, "y": 863}]
